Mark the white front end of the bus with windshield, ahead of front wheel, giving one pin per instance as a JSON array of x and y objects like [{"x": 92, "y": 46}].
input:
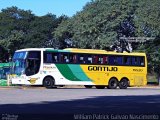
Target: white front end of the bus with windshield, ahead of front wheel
[{"x": 25, "y": 64}]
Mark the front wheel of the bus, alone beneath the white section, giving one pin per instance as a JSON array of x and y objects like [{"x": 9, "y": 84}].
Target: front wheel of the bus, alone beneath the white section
[{"x": 48, "y": 82}]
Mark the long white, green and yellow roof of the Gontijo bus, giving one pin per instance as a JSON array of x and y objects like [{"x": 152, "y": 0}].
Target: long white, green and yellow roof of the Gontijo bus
[{"x": 78, "y": 50}]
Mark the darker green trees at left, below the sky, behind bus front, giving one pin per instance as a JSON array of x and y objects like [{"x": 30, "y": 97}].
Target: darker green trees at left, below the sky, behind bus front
[{"x": 22, "y": 29}]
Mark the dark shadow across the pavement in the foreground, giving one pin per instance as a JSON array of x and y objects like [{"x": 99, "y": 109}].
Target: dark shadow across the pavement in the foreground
[{"x": 104, "y": 105}]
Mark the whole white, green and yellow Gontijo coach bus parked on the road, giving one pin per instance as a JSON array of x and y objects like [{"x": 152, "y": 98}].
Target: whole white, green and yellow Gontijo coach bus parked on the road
[{"x": 72, "y": 66}]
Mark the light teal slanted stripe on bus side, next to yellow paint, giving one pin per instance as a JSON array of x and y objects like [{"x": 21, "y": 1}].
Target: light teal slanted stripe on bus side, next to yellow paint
[{"x": 78, "y": 72}]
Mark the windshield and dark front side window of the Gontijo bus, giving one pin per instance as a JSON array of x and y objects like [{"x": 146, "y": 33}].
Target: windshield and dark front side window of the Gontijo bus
[{"x": 26, "y": 63}]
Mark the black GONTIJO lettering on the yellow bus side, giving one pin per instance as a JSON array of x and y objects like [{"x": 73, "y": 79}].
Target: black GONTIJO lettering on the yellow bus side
[{"x": 102, "y": 68}]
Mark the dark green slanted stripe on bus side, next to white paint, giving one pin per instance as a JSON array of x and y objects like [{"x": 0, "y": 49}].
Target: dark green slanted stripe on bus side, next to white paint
[{"x": 66, "y": 72}]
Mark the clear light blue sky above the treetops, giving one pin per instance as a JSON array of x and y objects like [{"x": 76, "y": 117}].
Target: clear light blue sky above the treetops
[{"x": 42, "y": 7}]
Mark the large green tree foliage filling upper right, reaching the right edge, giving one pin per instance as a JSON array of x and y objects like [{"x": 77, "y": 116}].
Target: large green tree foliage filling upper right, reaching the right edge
[{"x": 102, "y": 22}]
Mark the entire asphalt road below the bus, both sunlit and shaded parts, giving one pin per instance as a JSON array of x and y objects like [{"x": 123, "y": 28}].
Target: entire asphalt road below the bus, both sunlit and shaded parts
[{"x": 67, "y": 103}]
